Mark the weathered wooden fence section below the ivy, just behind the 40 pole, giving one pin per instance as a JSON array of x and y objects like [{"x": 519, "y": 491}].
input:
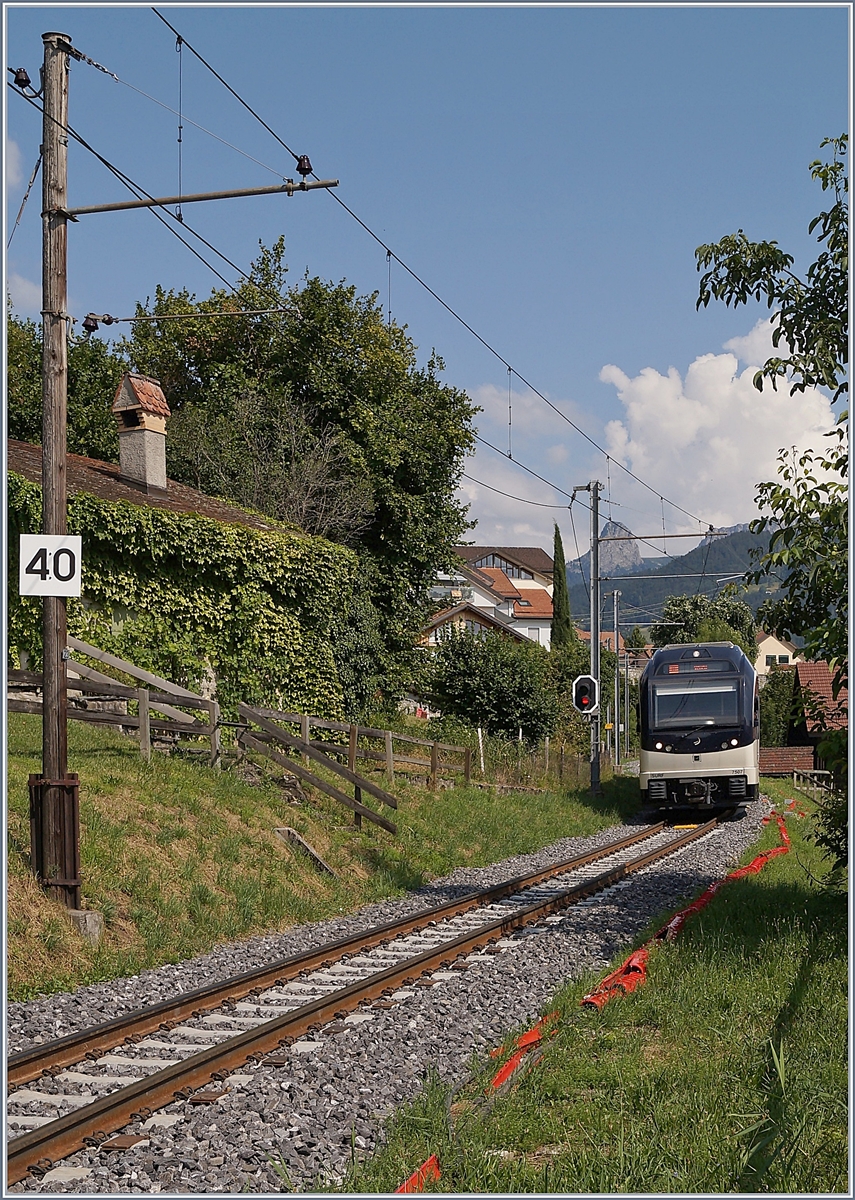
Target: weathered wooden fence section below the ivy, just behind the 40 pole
[{"x": 159, "y": 697}]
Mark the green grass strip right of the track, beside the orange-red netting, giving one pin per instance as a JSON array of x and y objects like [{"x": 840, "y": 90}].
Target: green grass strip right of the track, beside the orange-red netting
[{"x": 727, "y": 1072}]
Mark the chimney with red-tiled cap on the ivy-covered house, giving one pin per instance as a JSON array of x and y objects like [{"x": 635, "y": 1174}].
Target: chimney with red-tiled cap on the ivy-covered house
[{"x": 141, "y": 411}]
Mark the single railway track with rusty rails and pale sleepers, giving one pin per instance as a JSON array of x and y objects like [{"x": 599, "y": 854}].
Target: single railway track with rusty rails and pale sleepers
[{"x": 130, "y": 1067}]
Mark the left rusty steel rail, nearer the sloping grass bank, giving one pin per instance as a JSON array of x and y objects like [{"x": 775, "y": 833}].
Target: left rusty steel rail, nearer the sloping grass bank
[{"x": 29, "y": 1065}]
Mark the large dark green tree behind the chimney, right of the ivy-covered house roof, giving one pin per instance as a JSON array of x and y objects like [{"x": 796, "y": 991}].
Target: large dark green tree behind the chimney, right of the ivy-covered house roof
[{"x": 380, "y": 441}]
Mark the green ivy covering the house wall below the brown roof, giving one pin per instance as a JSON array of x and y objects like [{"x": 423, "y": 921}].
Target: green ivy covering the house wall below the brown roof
[{"x": 182, "y": 596}]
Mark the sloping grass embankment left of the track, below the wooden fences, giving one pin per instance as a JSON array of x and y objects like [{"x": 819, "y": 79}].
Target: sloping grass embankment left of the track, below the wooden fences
[{"x": 181, "y": 859}]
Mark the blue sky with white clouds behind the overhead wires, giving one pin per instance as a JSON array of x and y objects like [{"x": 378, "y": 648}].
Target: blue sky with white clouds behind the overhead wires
[{"x": 549, "y": 172}]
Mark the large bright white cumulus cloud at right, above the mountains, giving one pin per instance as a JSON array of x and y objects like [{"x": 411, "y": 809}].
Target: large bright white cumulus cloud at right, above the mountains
[{"x": 710, "y": 439}]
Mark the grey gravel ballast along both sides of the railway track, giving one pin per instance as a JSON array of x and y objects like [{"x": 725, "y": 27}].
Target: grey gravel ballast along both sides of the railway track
[{"x": 332, "y": 1099}]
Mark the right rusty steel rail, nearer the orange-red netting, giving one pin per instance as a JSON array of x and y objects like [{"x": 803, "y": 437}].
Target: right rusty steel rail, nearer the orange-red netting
[{"x": 38, "y": 1150}]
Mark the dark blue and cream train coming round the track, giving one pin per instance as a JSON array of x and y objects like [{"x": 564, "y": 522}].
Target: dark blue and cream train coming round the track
[{"x": 701, "y": 728}]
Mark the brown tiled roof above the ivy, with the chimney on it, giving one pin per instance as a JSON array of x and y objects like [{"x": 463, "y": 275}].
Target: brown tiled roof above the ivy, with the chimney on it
[{"x": 103, "y": 481}]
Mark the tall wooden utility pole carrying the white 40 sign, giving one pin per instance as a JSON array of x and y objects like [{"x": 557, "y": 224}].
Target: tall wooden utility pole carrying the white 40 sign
[{"x": 55, "y": 814}]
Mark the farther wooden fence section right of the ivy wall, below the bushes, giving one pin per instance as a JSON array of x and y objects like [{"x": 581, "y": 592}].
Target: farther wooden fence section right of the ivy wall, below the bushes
[{"x": 438, "y": 767}]
